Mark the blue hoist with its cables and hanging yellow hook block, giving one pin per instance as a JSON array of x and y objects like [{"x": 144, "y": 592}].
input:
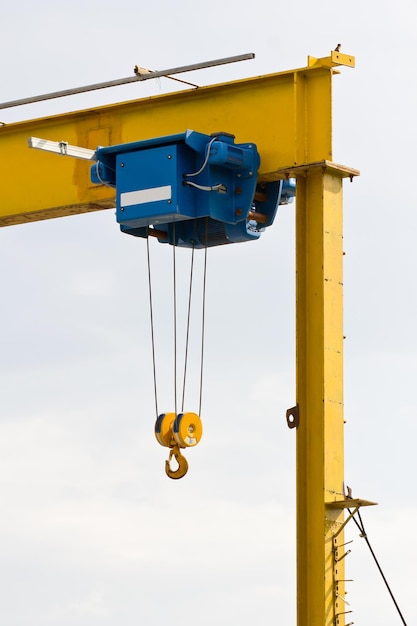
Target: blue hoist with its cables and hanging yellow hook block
[{"x": 190, "y": 190}]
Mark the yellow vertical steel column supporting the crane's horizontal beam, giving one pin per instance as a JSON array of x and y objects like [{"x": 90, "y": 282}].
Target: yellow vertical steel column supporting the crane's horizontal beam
[{"x": 320, "y": 440}]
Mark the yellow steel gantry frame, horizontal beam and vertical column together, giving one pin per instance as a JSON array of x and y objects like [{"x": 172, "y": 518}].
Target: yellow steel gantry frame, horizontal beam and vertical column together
[{"x": 288, "y": 115}]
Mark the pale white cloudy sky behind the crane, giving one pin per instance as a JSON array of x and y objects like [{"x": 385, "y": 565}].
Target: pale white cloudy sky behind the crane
[{"x": 91, "y": 530}]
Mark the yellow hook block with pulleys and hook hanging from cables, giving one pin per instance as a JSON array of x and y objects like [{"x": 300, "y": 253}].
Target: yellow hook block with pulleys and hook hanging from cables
[{"x": 178, "y": 431}]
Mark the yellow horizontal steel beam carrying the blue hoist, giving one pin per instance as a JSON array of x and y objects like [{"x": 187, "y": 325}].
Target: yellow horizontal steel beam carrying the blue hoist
[{"x": 287, "y": 115}]
